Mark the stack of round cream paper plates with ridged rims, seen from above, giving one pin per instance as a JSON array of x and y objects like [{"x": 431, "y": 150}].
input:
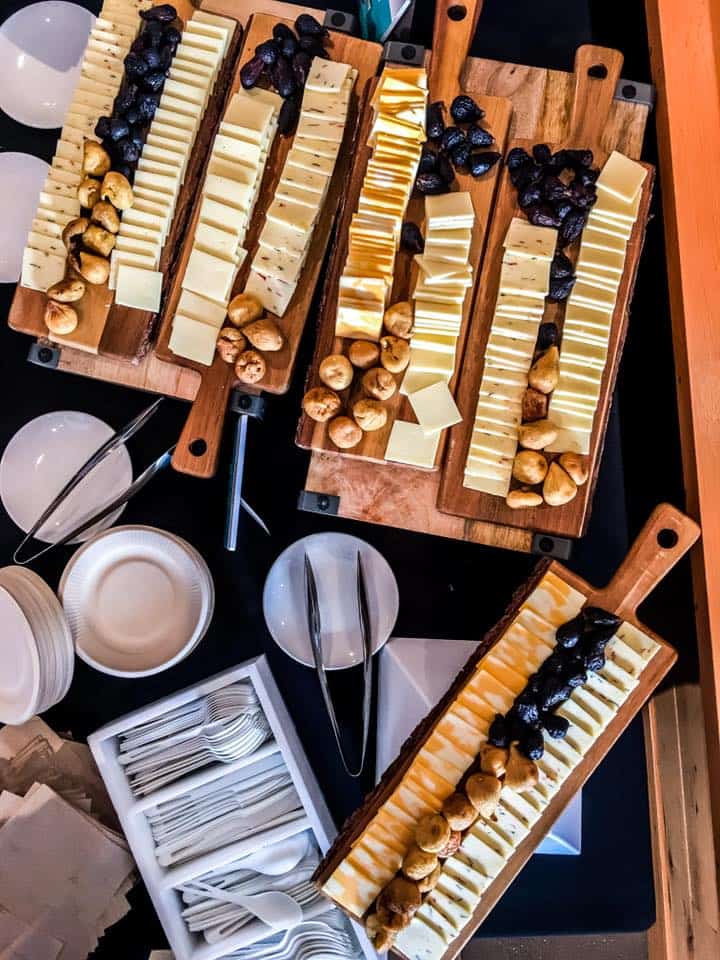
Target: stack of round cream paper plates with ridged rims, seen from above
[{"x": 137, "y": 601}]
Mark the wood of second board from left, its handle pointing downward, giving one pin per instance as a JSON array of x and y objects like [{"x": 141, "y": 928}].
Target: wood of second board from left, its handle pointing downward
[{"x": 204, "y": 425}]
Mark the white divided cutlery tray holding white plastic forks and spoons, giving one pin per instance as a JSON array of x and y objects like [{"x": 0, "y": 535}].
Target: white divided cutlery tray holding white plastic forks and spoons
[{"x": 161, "y": 882}]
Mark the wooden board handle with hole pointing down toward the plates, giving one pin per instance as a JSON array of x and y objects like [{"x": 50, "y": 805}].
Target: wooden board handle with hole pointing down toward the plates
[{"x": 198, "y": 448}]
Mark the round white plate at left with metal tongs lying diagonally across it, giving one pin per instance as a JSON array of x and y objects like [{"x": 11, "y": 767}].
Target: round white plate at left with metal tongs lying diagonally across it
[{"x": 41, "y": 458}]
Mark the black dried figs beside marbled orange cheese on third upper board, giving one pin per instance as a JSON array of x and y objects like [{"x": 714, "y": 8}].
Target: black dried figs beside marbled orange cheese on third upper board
[{"x": 463, "y": 147}]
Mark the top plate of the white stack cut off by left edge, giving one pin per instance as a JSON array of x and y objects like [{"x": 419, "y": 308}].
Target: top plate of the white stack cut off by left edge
[{"x": 19, "y": 663}]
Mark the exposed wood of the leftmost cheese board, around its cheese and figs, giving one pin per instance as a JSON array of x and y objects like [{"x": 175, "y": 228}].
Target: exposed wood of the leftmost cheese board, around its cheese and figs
[{"x": 104, "y": 327}]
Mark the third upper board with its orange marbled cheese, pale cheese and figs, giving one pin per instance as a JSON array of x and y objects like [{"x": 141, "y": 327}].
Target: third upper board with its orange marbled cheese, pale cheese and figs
[{"x": 375, "y": 351}]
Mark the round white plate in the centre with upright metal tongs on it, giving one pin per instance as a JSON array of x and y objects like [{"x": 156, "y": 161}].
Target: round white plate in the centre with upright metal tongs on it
[{"x": 333, "y": 556}]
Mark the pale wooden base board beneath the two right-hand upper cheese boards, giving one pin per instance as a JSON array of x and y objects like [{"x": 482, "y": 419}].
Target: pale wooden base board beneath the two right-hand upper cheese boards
[{"x": 374, "y": 492}]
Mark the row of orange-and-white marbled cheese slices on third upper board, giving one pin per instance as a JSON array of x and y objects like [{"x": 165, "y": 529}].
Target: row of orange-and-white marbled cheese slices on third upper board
[{"x": 396, "y": 139}]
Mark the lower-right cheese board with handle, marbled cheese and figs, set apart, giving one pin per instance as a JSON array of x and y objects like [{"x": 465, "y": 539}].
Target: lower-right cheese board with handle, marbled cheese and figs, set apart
[{"x": 480, "y": 780}]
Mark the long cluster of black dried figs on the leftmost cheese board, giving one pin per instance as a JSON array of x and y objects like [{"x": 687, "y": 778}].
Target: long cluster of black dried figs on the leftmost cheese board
[{"x": 146, "y": 66}]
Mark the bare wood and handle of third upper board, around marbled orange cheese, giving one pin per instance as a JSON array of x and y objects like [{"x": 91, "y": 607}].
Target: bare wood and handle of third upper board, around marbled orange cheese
[{"x": 451, "y": 42}]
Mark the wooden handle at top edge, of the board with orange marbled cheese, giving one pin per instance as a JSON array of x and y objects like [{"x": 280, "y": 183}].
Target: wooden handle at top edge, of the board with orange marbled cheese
[{"x": 453, "y": 32}]
